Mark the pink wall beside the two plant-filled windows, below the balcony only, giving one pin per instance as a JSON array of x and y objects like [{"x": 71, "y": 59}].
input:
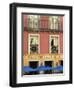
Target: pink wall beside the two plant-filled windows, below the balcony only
[{"x": 44, "y": 42}]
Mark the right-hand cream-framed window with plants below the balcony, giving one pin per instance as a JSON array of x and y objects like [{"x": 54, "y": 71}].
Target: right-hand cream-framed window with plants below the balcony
[{"x": 54, "y": 43}]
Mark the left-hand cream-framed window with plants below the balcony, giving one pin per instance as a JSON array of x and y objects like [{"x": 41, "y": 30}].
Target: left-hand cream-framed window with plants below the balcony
[{"x": 33, "y": 44}]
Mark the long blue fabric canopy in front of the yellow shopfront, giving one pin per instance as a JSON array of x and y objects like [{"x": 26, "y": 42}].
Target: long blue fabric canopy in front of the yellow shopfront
[{"x": 41, "y": 68}]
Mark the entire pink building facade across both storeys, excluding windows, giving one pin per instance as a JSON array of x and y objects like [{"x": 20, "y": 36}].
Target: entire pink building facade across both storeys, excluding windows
[{"x": 44, "y": 35}]
